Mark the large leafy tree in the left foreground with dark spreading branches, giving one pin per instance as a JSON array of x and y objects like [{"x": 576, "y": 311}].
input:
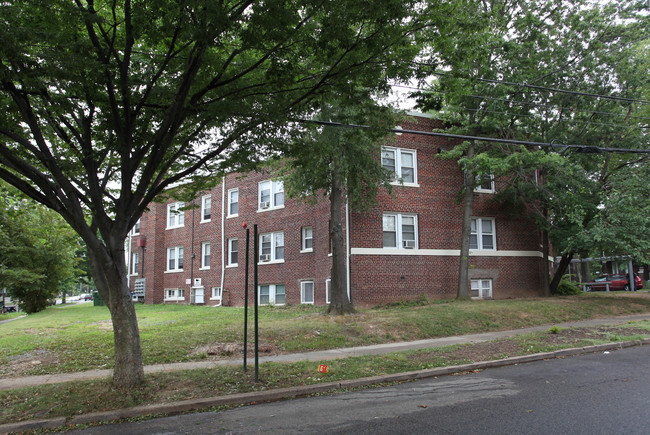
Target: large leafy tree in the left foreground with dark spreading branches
[{"x": 106, "y": 104}]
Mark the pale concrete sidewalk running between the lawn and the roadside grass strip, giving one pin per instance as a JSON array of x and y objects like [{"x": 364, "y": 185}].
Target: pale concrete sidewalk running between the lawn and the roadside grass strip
[{"x": 323, "y": 355}]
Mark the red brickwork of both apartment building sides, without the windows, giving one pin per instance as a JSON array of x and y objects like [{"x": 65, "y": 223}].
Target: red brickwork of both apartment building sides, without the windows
[{"x": 374, "y": 278}]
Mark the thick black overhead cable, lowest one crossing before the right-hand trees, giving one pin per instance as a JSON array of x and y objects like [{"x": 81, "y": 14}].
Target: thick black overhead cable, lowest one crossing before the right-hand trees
[{"x": 578, "y": 148}]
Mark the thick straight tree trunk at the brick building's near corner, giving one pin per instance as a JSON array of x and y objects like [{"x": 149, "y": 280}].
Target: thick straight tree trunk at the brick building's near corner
[{"x": 339, "y": 300}]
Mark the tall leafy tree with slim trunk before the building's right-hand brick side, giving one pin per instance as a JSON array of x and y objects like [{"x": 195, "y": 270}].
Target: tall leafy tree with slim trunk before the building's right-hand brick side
[{"x": 504, "y": 63}]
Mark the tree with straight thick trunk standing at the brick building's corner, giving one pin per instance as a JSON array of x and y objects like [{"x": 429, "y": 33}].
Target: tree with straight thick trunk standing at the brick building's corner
[{"x": 342, "y": 164}]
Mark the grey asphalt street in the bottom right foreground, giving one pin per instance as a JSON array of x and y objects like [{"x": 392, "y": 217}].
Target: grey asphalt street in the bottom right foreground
[{"x": 598, "y": 393}]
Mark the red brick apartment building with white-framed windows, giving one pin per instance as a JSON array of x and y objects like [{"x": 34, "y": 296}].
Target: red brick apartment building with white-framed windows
[{"x": 405, "y": 247}]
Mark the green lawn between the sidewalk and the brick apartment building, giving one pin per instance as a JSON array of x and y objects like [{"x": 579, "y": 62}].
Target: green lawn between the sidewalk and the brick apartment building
[{"x": 79, "y": 337}]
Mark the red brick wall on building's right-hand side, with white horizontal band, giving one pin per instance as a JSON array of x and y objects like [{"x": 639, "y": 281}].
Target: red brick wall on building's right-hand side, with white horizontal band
[{"x": 380, "y": 278}]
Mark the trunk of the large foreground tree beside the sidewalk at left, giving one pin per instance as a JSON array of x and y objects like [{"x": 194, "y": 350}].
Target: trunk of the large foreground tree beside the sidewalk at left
[{"x": 109, "y": 272}]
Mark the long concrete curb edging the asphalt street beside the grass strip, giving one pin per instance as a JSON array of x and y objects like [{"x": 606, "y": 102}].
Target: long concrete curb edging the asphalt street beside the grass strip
[{"x": 292, "y": 392}]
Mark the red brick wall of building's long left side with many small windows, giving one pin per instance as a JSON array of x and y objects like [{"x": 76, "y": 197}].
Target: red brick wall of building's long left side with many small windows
[{"x": 308, "y": 266}]
